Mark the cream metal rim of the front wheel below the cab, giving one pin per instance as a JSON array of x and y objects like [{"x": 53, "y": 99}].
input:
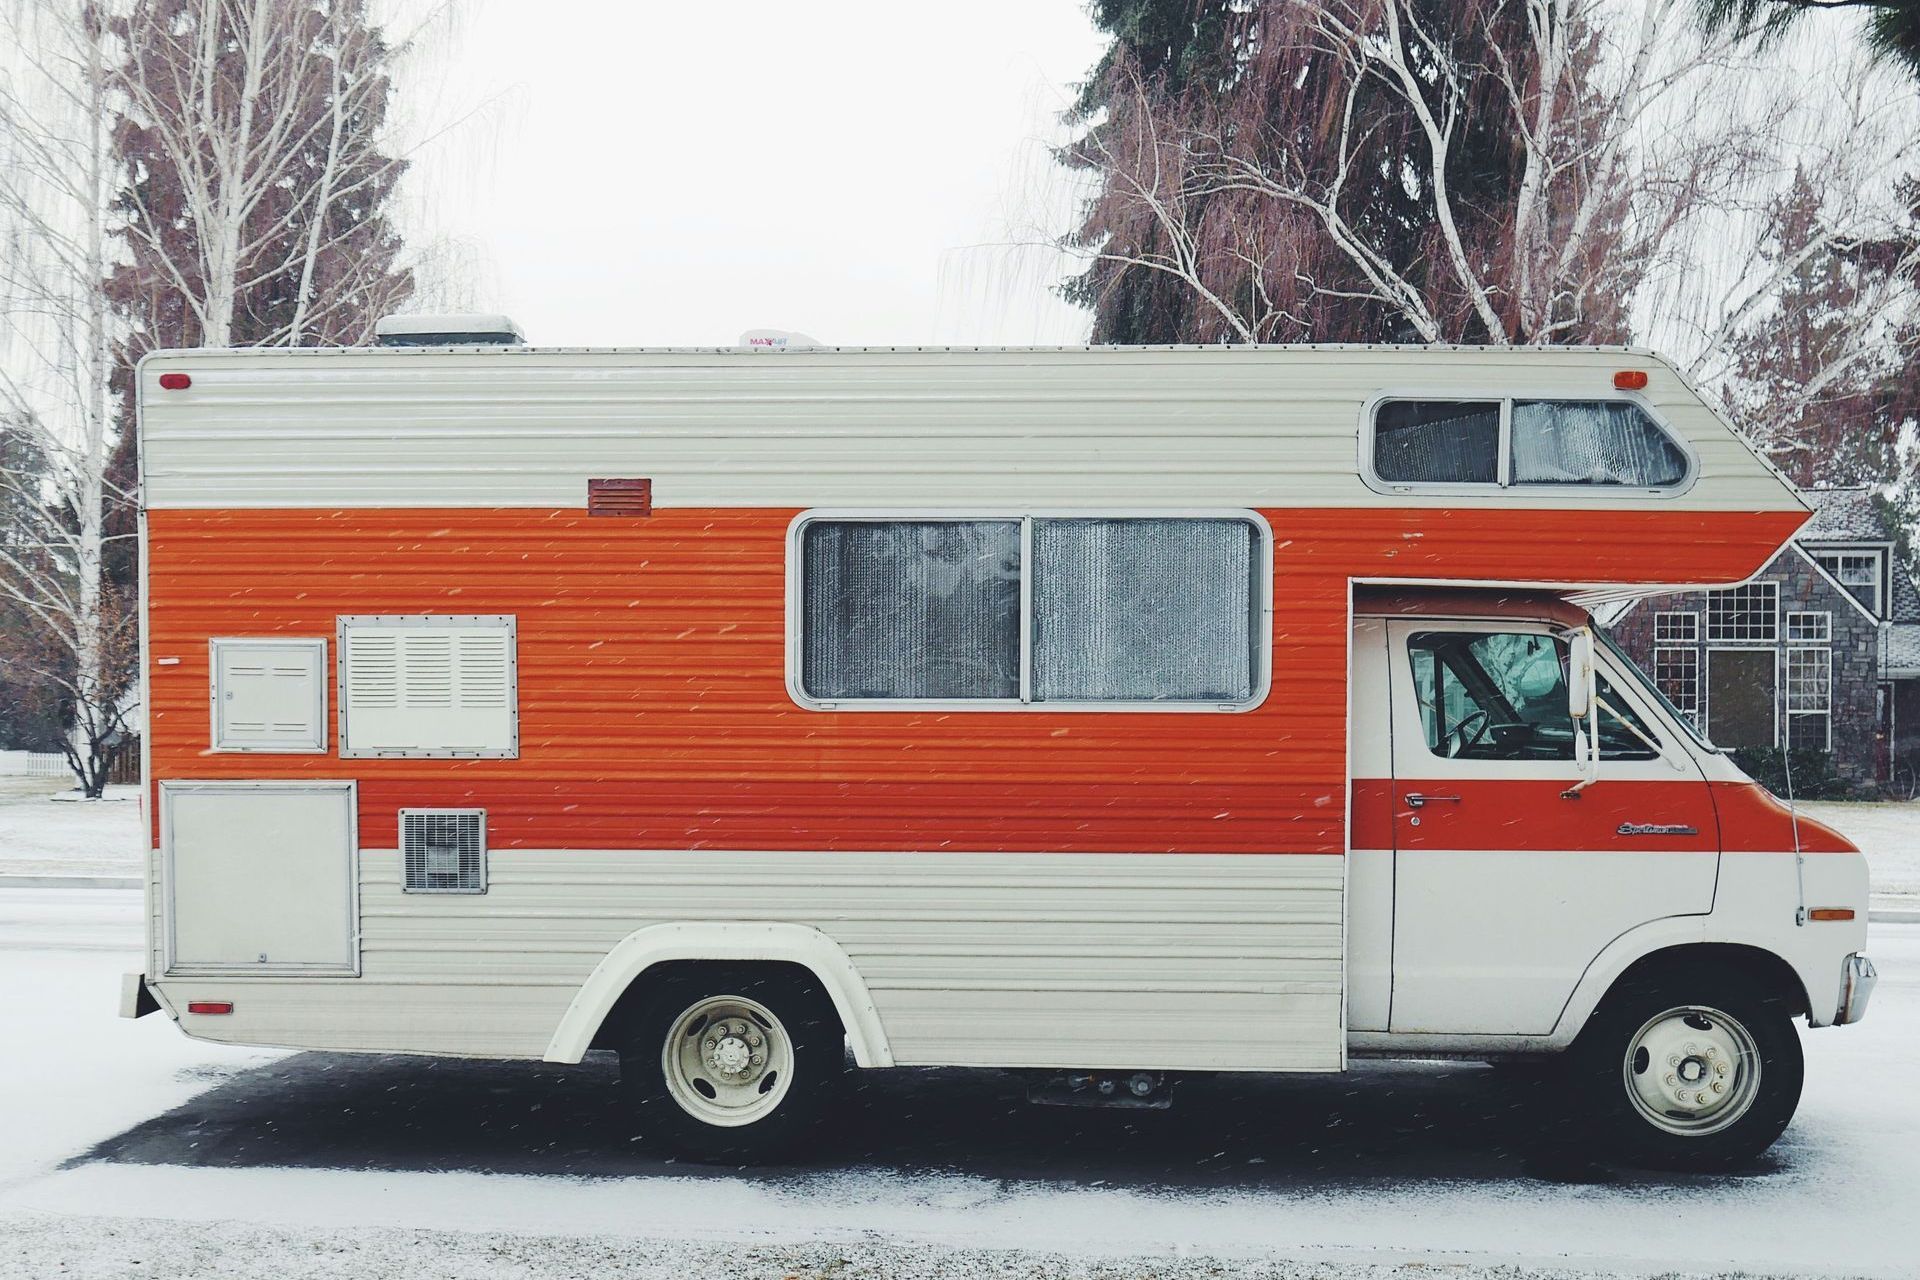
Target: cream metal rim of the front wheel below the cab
[{"x": 1692, "y": 1072}]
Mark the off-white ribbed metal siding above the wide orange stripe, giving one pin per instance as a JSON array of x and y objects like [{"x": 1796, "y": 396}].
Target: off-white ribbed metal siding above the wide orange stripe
[{"x": 1274, "y": 427}]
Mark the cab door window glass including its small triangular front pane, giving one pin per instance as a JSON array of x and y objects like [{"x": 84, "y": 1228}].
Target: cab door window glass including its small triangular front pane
[{"x": 1504, "y": 698}]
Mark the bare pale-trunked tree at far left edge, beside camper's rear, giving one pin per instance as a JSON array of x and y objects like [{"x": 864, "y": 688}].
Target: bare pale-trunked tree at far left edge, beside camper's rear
[{"x": 57, "y": 369}]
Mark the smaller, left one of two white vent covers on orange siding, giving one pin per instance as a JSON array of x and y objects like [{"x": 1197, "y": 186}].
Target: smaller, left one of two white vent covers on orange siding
[{"x": 270, "y": 694}]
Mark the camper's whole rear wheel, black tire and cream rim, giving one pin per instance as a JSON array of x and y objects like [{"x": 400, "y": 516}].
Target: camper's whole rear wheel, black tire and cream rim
[{"x": 732, "y": 1062}]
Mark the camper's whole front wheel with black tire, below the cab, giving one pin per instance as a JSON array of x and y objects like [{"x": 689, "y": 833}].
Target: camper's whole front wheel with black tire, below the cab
[{"x": 1721, "y": 1005}]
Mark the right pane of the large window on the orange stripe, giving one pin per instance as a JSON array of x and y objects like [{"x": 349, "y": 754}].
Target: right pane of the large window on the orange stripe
[{"x": 1143, "y": 611}]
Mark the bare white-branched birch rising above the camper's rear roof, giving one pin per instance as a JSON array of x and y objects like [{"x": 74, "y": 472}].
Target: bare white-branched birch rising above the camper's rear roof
[{"x": 260, "y": 174}]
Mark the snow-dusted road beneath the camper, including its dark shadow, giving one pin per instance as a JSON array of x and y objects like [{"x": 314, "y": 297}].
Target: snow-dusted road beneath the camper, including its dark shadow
[{"x": 130, "y": 1150}]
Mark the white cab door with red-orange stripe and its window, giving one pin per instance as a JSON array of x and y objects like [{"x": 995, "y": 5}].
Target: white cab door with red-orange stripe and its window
[{"x": 1506, "y": 886}]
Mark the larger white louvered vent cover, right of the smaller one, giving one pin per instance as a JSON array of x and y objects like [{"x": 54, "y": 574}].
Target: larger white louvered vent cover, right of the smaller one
[{"x": 429, "y": 686}]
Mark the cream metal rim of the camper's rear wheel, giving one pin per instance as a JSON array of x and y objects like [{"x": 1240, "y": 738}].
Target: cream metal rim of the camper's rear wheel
[{"x": 727, "y": 1062}]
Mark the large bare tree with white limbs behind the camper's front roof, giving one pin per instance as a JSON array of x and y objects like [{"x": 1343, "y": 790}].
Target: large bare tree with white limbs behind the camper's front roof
[{"x": 1560, "y": 118}]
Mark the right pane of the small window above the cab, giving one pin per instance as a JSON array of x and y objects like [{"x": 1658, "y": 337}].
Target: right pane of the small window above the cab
[{"x": 1604, "y": 442}]
